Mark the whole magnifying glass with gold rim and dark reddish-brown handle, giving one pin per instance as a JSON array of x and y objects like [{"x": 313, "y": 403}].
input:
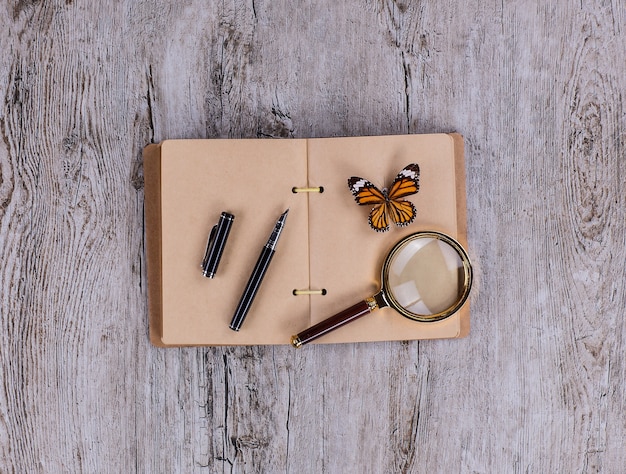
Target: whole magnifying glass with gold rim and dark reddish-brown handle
[{"x": 427, "y": 277}]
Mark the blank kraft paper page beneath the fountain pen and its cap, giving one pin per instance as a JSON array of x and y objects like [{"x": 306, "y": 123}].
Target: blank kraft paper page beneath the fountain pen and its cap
[{"x": 252, "y": 179}]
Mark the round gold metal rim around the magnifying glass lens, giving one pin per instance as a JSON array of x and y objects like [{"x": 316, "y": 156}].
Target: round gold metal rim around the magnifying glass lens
[{"x": 391, "y": 301}]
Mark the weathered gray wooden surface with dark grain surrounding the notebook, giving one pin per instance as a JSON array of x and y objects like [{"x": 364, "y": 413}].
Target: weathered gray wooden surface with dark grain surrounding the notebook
[{"x": 537, "y": 89}]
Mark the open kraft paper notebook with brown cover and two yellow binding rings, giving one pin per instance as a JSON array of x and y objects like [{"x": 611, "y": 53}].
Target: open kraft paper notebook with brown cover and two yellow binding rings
[{"x": 327, "y": 242}]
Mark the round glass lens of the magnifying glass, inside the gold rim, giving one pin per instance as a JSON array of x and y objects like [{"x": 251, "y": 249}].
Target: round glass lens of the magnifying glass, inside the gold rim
[{"x": 425, "y": 277}]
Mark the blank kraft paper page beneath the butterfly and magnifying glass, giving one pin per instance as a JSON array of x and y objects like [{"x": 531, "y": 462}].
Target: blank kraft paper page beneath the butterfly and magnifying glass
[{"x": 351, "y": 272}]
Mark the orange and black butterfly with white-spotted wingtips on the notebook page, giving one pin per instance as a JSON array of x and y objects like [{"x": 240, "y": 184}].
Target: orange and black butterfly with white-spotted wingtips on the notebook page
[{"x": 387, "y": 203}]
